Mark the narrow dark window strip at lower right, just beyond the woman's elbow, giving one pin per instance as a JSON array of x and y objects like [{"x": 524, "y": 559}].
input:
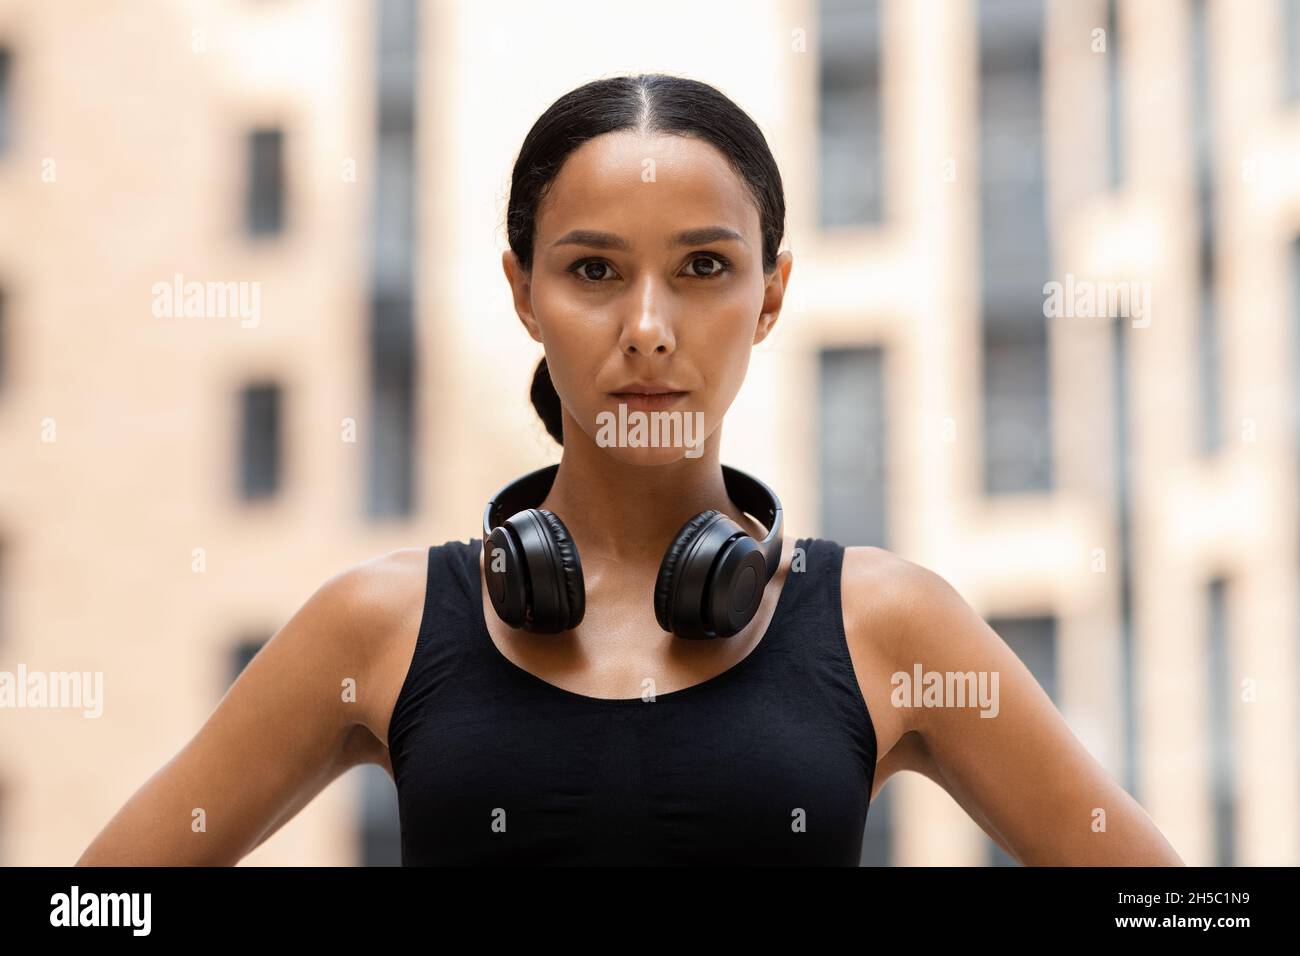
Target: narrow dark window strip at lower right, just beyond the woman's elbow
[{"x": 1223, "y": 694}]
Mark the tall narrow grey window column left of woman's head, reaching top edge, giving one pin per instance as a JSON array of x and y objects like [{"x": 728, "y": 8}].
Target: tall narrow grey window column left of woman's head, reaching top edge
[{"x": 392, "y": 326}]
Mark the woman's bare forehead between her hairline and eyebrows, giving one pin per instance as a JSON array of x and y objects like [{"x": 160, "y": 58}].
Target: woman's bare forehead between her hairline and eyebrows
[{"x": 636, "y": 184}]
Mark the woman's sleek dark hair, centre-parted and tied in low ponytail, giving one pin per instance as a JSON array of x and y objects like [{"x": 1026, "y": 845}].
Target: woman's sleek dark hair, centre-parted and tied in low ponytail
[{"x": 648, "y": 103}]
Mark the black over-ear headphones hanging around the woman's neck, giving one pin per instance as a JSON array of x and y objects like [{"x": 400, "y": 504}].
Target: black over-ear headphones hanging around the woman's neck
[{"x": 710, "y": 582}]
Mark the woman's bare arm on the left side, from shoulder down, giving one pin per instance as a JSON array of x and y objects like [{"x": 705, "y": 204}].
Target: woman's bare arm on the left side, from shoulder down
[{"x": 280, "y": 736}]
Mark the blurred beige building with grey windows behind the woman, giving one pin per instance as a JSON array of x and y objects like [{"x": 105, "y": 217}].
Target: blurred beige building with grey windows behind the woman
[{"x": 1111, "y": 485}]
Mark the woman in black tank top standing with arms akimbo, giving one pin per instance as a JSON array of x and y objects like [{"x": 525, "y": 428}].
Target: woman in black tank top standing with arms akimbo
[{"x": 644, "y": 224}]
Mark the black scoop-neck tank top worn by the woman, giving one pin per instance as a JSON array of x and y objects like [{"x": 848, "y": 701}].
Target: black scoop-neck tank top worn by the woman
[{"x": 770, "y": 763}]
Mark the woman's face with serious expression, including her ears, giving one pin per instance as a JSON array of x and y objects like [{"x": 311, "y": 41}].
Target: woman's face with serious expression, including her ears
[{"x": 648, "y": 274}]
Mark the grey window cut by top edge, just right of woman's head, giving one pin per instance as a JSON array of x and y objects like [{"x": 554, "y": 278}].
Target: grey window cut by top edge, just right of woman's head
[{"x": 850, "y": 135}]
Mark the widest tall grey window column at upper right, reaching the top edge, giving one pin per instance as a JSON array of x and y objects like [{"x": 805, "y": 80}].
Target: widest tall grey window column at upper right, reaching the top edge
[{"x": 1015, "y": 249}]
